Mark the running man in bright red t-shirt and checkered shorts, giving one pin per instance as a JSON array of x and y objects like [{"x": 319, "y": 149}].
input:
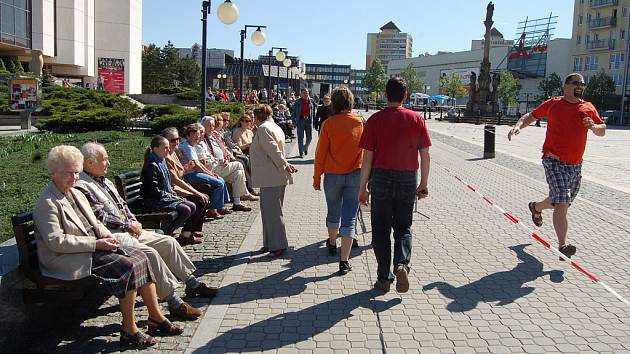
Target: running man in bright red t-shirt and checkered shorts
[{"x": 569, "y": 118}]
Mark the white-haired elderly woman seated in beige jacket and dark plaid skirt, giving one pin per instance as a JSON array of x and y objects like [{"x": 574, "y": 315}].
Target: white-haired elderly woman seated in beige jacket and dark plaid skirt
[{"x": 72, "y": 244}]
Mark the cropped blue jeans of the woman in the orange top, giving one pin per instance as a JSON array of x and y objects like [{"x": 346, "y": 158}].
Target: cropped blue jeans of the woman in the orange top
[{"x": 342, "y": 199}]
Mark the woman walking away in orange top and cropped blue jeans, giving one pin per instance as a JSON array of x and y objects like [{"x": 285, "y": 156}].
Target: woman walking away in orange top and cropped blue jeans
[{"x": 338, "y": 157}]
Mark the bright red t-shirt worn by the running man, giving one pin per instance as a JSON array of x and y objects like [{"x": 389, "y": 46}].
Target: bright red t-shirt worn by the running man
[{"x": 566, "y": 132}]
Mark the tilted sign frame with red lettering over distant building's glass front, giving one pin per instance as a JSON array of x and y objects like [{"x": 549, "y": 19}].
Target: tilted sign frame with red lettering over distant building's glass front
[{"x": 528, "y": 56}]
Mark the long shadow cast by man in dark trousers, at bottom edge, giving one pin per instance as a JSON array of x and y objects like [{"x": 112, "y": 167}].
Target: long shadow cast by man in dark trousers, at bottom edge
[{"x": 294, "y": 327}]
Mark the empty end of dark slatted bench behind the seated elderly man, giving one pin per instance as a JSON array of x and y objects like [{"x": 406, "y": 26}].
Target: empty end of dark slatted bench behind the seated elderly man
[{"x": 128, "y": 185}]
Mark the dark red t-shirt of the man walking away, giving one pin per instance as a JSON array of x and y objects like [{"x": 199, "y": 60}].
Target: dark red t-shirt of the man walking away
[{"x": 395, "y": 135}]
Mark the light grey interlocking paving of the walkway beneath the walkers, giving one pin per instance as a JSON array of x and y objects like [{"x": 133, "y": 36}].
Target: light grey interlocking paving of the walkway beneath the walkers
[{"x": 478, "y": 284}]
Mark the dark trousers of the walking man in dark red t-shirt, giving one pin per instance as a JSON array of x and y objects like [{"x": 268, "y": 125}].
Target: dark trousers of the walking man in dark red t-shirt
[{"x": 393, "y": 194}]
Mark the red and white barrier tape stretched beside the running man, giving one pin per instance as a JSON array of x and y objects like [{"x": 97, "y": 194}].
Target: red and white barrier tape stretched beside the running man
[{"x": 541, "y": 240}]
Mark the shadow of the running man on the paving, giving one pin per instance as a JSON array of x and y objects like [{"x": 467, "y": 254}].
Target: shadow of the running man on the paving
[{"x": 504, "y": 287}]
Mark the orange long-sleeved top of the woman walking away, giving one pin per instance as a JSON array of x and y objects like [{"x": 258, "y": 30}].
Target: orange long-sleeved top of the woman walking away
[{"x": 338, "y": 148}]
